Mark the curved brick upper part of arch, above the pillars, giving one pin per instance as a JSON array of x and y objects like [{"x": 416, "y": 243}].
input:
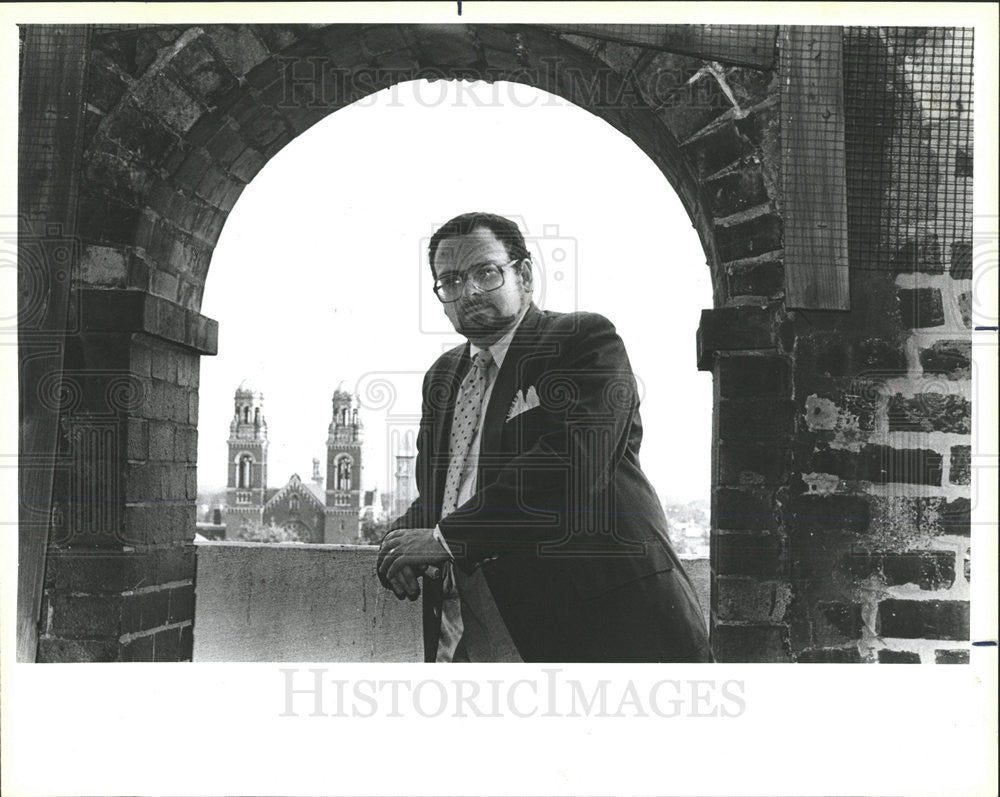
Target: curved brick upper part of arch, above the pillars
[{"x": 184, "y": 118}]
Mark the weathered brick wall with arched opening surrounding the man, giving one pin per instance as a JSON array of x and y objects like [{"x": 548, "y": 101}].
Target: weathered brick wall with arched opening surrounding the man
[{"x": 840, "y": 439}]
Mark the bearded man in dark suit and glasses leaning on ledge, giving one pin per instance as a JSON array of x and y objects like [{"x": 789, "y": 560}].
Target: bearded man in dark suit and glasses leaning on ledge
[{"x": 551, "y": 541}]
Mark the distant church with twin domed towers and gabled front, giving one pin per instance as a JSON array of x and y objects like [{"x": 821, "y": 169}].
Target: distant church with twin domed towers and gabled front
[{"x": 320, "y": 510}]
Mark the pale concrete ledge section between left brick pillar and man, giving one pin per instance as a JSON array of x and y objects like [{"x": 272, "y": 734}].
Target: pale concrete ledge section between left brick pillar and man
[{"x": 293, "y": 602}]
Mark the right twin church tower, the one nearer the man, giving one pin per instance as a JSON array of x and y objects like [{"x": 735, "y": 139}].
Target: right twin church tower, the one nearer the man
[{"x": 343, "y": 470}]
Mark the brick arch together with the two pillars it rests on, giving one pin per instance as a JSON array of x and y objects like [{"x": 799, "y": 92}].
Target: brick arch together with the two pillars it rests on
[{"x": 178, "y": 120}]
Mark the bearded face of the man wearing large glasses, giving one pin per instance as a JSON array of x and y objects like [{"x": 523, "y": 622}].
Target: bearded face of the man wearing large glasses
[{"x": 482, "y": 316}]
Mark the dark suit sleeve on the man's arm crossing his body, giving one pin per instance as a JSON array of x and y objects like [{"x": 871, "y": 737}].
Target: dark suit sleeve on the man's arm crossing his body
[{"x": 588, "y": 398}]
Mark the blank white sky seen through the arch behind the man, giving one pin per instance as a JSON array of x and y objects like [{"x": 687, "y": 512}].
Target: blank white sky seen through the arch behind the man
[{"x": 320, "y": 273}]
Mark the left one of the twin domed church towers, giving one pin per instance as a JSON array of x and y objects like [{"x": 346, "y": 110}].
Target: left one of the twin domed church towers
[{"x": 247, "y": 477}]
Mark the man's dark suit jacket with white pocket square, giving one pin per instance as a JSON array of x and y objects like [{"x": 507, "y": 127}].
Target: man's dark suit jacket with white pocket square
[{"x": 583, "y": 570}]
